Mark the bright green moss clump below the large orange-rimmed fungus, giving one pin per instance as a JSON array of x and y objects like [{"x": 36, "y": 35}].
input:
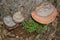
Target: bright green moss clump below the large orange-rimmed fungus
[{"x": 32, "y": 26}]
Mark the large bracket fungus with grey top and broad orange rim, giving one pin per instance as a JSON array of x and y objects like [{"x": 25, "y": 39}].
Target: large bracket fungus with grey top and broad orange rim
[{"x": 44, "y": 13}]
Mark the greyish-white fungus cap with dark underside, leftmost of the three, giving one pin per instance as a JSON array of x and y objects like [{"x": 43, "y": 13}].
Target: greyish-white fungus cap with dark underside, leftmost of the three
[{"x": 9, "y": 21}]
